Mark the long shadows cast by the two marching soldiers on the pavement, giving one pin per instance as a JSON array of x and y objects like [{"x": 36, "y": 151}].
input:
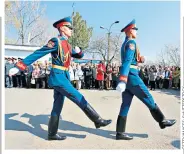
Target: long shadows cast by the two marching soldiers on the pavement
[{"x": 36, "y": 120}]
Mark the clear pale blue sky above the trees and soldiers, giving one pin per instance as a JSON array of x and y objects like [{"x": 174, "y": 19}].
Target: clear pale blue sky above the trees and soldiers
[{"x": 158, "y": 22}]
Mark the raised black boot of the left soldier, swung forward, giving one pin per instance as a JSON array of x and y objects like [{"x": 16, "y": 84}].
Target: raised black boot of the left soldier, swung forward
[{"x": 93, "y": 116}]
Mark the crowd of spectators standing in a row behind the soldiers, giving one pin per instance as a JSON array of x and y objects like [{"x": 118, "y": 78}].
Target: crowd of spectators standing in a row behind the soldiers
[{"x": 90, "y": 76}]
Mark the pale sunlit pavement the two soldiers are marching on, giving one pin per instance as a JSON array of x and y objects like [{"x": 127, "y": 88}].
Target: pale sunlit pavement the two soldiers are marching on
[{"x": 27, "y": 115}]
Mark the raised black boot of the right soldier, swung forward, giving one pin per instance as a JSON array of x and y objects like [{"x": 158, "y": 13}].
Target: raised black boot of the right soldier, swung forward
[{"x": 160, "y": 118}]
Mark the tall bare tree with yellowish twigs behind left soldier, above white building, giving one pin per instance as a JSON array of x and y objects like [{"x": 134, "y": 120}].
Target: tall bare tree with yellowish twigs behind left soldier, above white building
[{"x": 26, "y": 18}]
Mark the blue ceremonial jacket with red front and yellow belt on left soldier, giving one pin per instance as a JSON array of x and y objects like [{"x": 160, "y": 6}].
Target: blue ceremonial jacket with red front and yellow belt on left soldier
[{"x": 61, "y": 53}]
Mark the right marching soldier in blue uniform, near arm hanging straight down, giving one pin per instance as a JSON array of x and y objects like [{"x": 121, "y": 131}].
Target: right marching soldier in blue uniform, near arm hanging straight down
[{"x": 131, "y": 84}]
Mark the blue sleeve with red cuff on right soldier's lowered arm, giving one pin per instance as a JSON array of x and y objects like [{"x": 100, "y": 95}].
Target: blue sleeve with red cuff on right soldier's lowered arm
[{"x": 127, "y": 59}]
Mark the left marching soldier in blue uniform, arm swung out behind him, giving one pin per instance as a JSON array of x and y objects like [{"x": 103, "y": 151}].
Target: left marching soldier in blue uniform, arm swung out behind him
[{"x": 59, "y": 78}]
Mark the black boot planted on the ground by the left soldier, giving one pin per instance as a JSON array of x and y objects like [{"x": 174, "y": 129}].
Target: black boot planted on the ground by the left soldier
[{"x": 52, "y": 129}]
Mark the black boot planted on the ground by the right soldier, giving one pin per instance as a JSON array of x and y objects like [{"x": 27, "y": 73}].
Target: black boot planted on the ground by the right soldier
[{"x": 120, "y": 129}]
